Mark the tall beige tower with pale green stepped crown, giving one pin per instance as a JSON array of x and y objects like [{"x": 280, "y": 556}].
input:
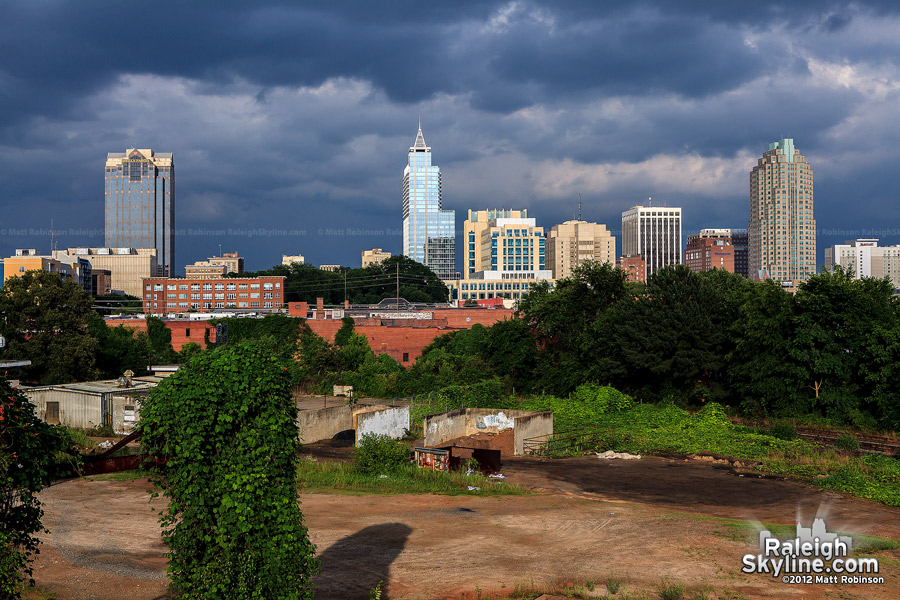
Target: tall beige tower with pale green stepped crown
[{"x": 782, "y": 229}]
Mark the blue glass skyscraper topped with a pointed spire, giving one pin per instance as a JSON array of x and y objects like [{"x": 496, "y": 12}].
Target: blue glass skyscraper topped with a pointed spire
[{"x": 429, "y": 233}]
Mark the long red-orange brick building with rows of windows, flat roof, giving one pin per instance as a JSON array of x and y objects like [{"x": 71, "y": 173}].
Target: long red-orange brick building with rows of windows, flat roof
[{"x": 162, "y": 295}]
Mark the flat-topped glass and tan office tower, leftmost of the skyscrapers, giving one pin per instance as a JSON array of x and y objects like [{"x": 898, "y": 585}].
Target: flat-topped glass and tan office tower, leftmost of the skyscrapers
[{"x": 140, "y": 203}]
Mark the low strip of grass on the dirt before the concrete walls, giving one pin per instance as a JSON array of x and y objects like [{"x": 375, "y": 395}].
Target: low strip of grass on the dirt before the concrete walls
[{"x": 346, "y": 478}]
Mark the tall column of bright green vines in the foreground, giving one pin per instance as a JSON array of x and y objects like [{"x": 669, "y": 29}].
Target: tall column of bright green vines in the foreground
[{"x": 223, "y": 430}]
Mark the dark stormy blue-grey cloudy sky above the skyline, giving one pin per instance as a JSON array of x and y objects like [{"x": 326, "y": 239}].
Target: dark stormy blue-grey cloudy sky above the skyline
[{"x": 292, "y": 124}]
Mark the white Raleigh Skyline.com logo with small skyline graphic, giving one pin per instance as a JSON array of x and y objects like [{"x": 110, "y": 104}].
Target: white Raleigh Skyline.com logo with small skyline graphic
[{"x": 813, "y": 556}]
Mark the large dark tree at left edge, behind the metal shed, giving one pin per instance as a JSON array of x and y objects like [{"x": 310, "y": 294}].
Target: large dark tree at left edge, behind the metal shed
[{"x": 45, "y": 320}]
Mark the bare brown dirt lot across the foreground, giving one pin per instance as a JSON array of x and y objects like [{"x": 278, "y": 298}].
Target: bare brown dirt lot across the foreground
[{"x": 638, "y": 520}]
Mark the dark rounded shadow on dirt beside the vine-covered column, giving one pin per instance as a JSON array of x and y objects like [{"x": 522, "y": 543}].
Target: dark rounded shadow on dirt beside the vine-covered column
[{"x": 354, "y": 565}]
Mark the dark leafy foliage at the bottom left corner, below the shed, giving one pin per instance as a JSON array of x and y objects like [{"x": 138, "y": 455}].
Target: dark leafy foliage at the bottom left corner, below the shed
[{"x": 28, "y": 463}]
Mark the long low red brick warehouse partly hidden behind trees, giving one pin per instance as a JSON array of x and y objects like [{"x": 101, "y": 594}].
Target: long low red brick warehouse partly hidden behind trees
[{"x": 403, "y": 339}]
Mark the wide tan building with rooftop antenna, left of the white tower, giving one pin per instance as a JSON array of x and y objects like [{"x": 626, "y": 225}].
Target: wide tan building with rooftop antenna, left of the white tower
[{"x": 573, "y": 243}]
